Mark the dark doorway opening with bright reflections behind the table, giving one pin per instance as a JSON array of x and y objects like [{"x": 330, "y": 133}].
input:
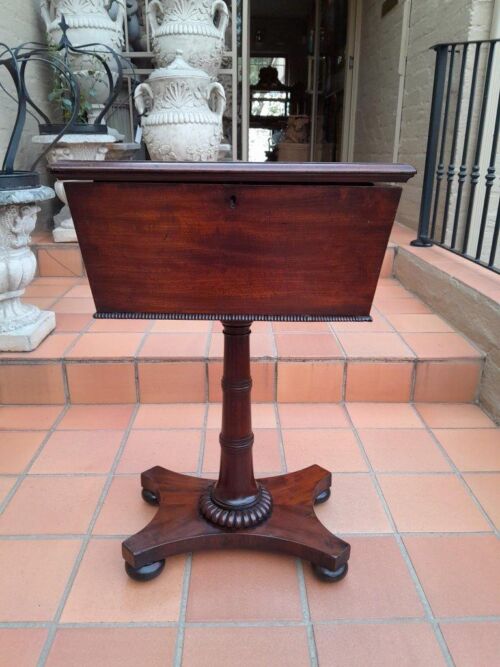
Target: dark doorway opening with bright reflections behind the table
[{"x": 295, "y": 80}]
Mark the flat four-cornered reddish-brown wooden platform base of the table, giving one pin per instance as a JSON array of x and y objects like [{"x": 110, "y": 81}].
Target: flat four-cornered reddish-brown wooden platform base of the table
[{"x": 292, "y": 527}]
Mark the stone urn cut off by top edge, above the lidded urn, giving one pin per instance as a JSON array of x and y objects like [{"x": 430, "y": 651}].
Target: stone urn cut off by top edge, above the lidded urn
[{"x": 196, "y": 27}]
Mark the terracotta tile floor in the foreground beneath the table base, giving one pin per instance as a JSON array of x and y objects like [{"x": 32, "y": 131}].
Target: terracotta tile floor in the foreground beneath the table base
[{"x": 415, "y": 492}]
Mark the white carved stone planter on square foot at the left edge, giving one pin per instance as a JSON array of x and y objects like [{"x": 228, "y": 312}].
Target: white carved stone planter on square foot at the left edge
[{"x": 22, "y": 326}]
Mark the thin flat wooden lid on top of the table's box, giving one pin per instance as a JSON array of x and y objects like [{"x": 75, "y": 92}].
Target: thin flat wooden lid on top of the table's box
[{"x": 235, "y": 172}]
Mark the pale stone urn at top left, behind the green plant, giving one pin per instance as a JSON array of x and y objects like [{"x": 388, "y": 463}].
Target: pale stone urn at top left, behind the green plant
[{"x": 89, "y": 23}]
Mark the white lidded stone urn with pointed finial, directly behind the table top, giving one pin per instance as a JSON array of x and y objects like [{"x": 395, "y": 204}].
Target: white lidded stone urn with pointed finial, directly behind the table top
[{"x": 181, "y": 113}]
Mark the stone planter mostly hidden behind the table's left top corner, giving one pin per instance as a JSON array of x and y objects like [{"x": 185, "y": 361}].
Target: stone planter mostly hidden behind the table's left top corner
[{"x": 72, "y": 147}]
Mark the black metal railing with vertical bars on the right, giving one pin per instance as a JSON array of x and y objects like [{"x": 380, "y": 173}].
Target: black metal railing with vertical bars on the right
[{"x": 460, "y": 199}]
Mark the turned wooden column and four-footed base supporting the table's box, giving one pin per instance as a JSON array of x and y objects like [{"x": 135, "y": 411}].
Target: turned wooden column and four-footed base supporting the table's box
[{"x": 237, "y": 511}]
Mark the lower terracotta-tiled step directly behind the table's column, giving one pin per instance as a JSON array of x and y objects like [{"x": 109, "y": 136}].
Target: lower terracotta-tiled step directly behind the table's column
[{"x": 407, "y": 353}]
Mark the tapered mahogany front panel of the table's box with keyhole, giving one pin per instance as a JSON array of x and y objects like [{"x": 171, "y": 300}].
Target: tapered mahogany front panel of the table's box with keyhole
[{"x": 231, "y": 249}]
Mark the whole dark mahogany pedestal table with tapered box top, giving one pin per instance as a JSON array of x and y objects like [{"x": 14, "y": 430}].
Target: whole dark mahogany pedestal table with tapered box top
[{"x": 279, "y": 241}]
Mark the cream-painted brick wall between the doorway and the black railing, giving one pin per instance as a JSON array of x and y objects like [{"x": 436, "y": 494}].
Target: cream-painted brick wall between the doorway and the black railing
[{"x": 431, "y": 21}]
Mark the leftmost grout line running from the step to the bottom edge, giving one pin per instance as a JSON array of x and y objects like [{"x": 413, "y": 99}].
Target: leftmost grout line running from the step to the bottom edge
[{"x": 76, "y": 566}]
